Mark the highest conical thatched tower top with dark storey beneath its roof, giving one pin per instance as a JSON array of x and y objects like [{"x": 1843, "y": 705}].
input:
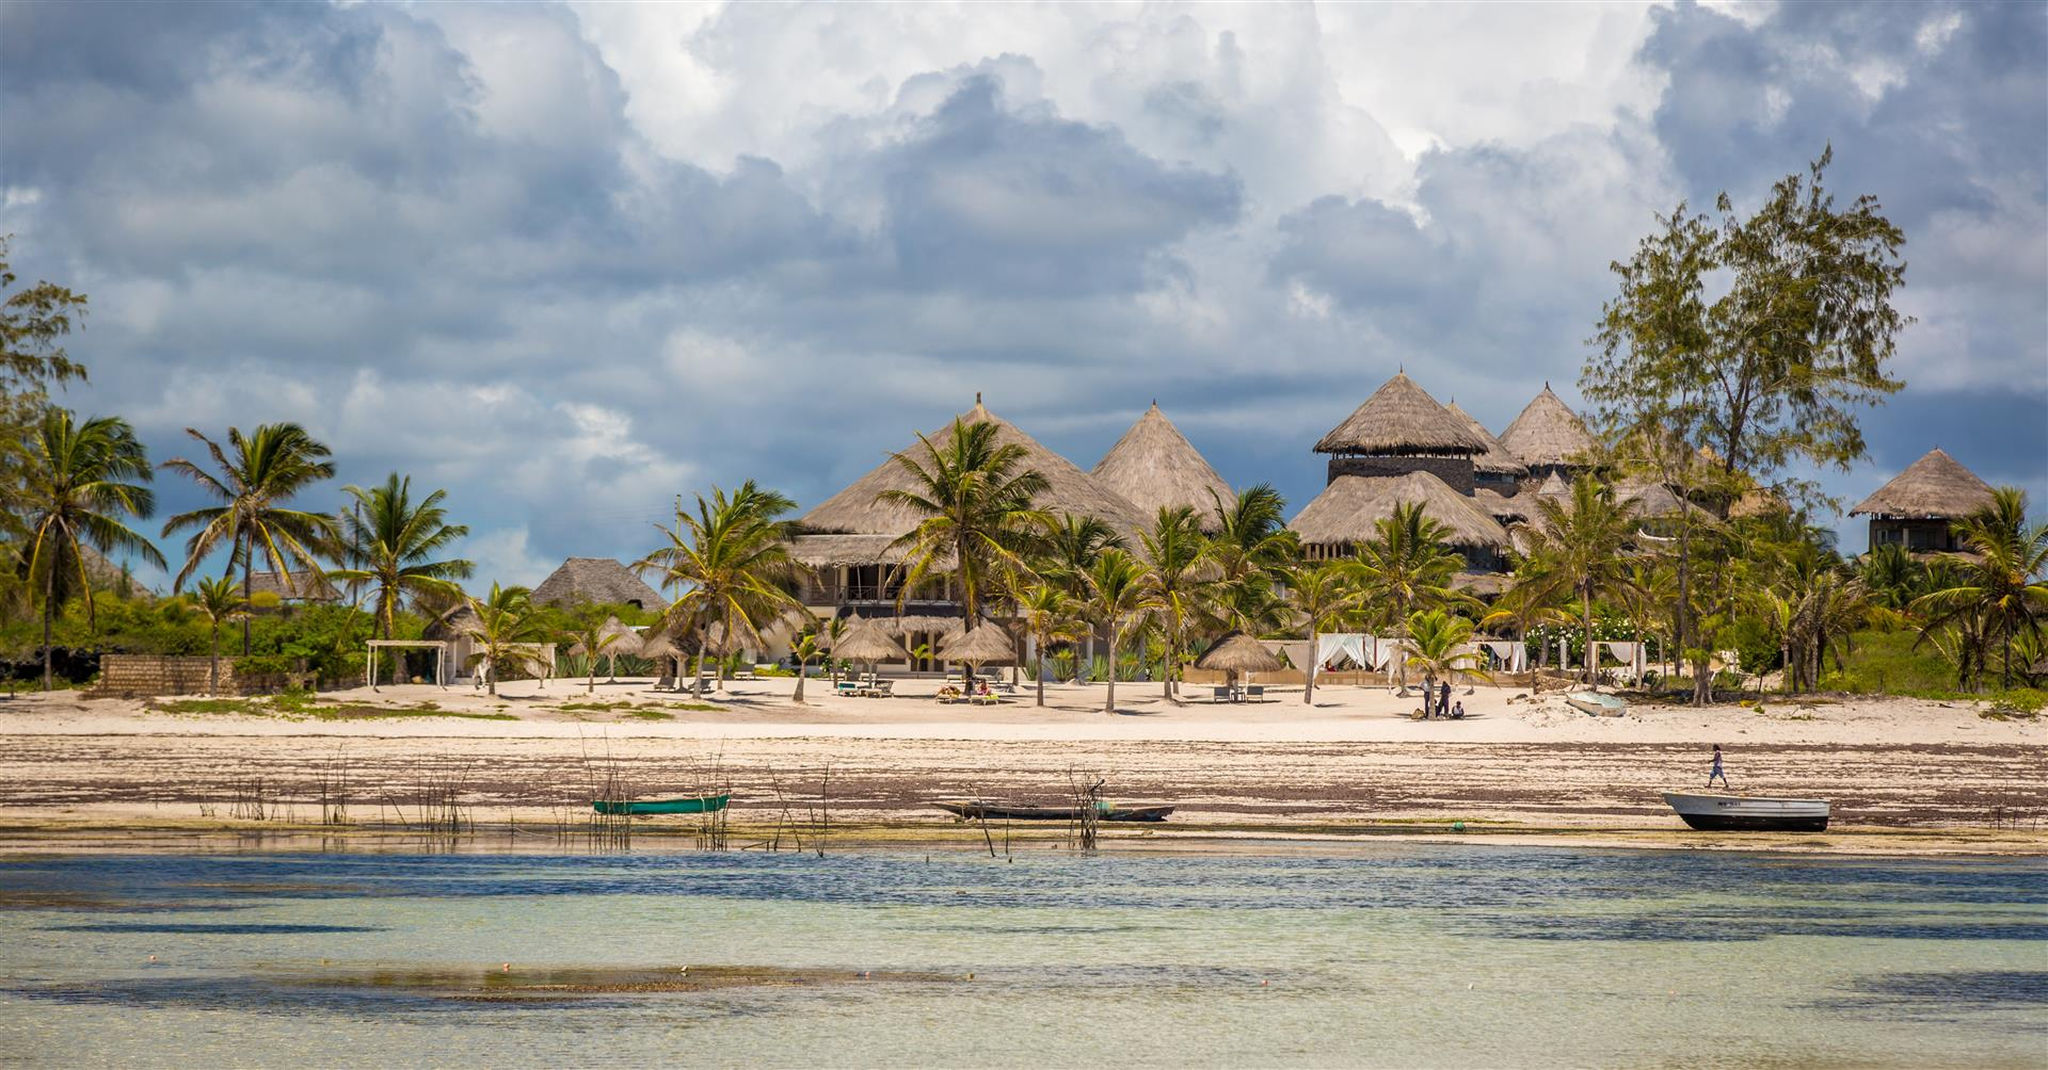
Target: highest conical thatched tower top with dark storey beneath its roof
[{"x": 1404, "y": 429}]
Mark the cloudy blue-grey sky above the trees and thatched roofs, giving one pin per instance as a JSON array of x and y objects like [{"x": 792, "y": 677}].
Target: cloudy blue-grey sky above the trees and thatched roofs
[{"x": 572, "y": 261}]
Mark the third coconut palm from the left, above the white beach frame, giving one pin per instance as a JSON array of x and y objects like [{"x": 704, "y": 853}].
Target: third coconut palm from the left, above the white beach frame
[{"x": 392, "y": 540}]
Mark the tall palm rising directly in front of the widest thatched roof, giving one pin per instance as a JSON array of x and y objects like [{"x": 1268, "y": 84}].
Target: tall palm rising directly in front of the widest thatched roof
[{"x": 978, "y": 518}]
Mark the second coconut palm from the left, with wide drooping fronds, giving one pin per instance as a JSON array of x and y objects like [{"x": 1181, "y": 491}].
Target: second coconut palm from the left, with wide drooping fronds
[{"x": 259, "y": 472}]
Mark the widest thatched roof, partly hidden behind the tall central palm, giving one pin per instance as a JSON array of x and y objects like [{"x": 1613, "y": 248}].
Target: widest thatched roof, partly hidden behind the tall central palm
[{"x": 855, "y": 509}]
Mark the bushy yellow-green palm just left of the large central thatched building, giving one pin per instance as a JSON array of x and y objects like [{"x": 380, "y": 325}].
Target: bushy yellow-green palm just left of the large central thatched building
[{"x": 730, "y": 565}]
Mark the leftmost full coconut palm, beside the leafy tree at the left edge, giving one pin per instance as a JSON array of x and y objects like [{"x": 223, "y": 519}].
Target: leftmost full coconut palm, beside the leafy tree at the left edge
[{"x": 77, "y": 483}]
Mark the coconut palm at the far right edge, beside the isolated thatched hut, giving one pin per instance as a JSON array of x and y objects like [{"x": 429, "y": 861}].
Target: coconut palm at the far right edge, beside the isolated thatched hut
[{"x": 2002, "y": 585}]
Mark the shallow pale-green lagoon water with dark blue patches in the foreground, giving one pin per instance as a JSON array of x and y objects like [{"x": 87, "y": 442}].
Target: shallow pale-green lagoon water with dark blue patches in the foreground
[{"x": 1373, "y": 956}]
